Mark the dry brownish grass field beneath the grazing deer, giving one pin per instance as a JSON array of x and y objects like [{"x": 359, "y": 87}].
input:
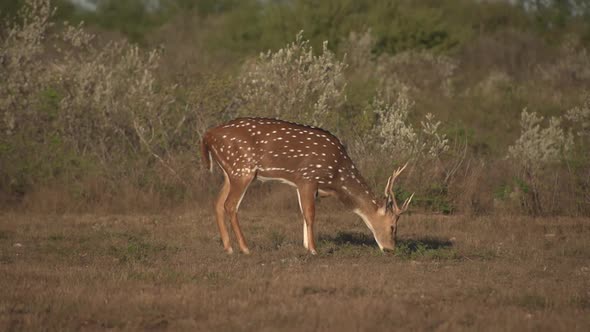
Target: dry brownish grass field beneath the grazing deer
[{"x": 169, "y": 272}]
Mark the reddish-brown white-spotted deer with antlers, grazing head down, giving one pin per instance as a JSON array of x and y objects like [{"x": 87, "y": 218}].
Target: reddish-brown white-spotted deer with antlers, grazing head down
[{"x": 308, "y": 158}]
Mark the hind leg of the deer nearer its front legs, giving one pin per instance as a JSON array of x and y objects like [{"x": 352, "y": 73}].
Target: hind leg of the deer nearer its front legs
[{"x": 237, "y": 189}]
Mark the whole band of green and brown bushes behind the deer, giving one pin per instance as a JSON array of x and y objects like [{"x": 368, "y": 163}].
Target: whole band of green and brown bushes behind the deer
[{"x": 489, "y": 101}]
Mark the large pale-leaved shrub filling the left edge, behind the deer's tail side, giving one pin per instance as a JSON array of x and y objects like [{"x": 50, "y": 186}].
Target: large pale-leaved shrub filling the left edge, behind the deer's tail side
[{"x": 84, "y": 111}]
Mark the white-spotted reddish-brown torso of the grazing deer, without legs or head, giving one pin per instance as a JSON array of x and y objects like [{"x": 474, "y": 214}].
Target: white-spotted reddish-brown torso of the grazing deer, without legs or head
[{"x": 277, "y": 148}]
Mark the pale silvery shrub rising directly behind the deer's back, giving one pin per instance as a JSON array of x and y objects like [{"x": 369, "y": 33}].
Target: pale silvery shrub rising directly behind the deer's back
[{"x": 294, "y": 84}]
